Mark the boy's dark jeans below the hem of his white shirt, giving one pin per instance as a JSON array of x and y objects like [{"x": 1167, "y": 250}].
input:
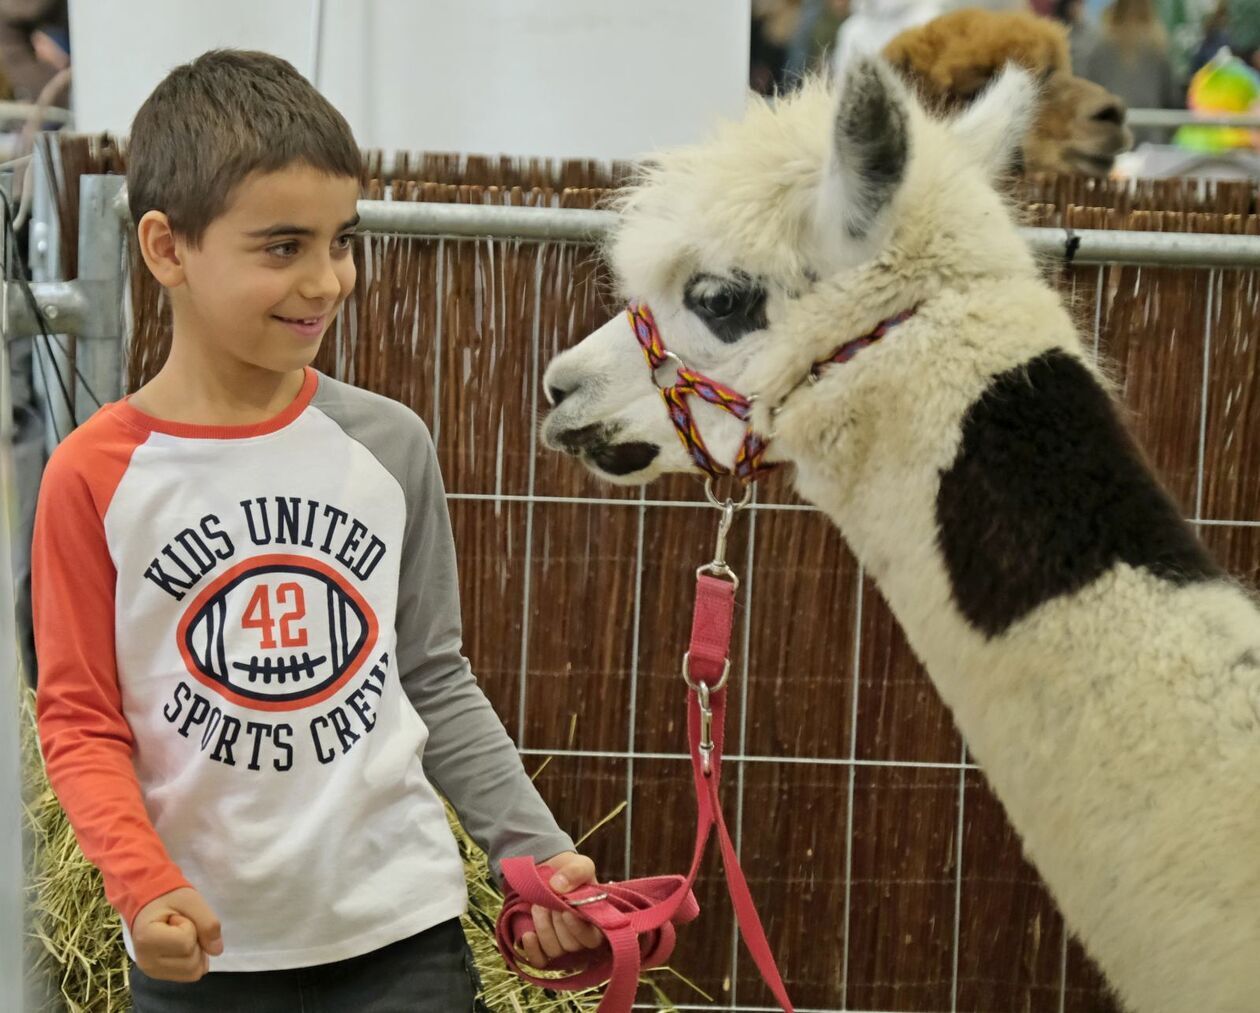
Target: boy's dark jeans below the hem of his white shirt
[{"x": 428, "y": 973}]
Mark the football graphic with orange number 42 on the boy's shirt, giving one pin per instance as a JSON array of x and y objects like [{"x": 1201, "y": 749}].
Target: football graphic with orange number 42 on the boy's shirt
[{"x": 277, "y": 633}]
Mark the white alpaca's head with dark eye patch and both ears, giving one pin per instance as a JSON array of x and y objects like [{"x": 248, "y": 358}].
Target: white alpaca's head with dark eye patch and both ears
[{"x": 724, "y": 241}]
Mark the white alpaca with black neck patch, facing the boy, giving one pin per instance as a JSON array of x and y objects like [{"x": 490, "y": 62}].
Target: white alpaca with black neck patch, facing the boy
[{"x": 1104, "y": 672}]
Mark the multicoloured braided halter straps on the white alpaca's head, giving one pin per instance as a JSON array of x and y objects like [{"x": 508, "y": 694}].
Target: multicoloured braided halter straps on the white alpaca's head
[{"x": 750, "y": 462}]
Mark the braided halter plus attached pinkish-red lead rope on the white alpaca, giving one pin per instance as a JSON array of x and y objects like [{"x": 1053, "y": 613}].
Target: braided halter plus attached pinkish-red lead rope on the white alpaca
[{"x": 638, "y": 918}]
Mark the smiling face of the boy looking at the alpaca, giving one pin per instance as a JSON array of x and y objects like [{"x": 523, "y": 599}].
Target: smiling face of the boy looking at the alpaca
[{"x": 272, "y": 273}]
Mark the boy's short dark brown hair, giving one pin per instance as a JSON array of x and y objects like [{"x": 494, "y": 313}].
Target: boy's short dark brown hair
[{"x": 212, "y": 123}]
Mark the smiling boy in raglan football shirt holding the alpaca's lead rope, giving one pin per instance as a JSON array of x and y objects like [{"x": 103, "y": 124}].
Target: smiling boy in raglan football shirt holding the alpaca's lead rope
[{"x": 246, "y": 607}]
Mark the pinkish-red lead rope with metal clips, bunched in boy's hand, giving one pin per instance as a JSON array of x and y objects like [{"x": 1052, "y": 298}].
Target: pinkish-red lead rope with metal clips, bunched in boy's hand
[{"x": 638, "y": 917}]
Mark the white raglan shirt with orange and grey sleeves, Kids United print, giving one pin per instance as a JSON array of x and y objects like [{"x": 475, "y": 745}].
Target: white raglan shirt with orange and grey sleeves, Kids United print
[{"x": 253, "y": 682}]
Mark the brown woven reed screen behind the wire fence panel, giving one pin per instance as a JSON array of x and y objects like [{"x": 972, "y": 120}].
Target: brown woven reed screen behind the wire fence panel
[{"x": 885, "y": 869}]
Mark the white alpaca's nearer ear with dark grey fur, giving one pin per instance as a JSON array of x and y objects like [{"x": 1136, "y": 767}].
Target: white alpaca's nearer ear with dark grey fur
[{"x": 870, "y": 148}]
